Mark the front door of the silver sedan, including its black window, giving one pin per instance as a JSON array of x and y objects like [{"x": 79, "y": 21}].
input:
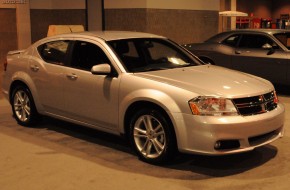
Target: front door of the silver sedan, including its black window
[{"x": 92, "y": 99}]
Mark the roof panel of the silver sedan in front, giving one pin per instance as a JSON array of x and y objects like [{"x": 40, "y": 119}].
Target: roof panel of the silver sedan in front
[{"x": 109, "y": 35}]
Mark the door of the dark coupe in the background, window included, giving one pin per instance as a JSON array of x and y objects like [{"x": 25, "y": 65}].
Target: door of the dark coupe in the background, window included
[{"x": 251, "y": 57}]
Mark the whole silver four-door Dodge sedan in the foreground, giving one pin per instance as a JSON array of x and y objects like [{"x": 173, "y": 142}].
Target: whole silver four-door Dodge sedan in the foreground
[{"x": 146, "y": 88}]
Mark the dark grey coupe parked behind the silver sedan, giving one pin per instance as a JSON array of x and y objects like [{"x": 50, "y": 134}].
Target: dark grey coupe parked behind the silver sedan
[{"x": 262, "y": 52}]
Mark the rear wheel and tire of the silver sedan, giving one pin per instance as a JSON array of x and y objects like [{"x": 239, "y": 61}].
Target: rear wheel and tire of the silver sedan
[{"x": 23, "y": 107}]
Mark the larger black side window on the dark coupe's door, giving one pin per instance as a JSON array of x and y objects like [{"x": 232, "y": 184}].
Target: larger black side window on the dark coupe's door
[{"x": 255, "y": 41}]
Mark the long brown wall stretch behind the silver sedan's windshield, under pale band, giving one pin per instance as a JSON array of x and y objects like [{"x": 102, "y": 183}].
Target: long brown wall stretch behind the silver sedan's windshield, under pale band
[{"x": 182, "y": 26}]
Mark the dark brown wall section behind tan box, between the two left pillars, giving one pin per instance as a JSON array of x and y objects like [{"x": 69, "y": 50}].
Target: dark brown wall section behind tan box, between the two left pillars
[{"x": 41, "y": 19}]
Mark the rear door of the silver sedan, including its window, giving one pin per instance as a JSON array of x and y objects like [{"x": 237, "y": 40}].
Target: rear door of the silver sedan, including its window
[{"x": 46, "y": 69}]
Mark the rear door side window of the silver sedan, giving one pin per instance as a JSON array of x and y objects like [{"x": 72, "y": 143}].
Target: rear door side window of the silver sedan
[{"x": 54, "y": 52}]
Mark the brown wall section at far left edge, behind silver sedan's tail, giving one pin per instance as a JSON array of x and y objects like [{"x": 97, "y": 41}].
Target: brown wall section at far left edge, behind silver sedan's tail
[{"x": 8, "y": 34}]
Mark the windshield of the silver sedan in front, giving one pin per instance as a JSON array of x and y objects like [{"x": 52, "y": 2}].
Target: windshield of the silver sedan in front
[{"x": 140, "y": 55}]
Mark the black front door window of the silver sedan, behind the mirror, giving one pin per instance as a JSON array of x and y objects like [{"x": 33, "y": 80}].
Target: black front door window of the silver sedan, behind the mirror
[{"x": 85, "y": 55}]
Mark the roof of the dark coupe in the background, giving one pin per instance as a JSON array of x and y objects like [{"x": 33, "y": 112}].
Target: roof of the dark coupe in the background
[{"x": 221, "y": 36}]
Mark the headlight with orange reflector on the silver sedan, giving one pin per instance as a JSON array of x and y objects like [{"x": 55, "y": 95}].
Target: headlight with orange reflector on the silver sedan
[{"x": 212, "y": 106}]
